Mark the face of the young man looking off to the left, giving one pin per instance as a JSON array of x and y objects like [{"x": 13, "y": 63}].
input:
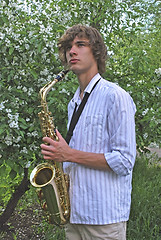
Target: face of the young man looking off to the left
[{"x": 79, "y": 56}]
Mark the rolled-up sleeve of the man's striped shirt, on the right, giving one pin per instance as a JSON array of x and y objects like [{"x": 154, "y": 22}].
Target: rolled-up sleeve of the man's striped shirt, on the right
[{"x": 121, "y": 127}]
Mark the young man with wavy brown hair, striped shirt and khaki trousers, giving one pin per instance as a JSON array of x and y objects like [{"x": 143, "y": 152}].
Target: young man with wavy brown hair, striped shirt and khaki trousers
[{"x": 101, "y": 154}]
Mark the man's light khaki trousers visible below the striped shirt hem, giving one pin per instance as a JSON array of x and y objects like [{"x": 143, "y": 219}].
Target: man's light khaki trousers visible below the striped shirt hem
[{"x": 115, "y": 231}]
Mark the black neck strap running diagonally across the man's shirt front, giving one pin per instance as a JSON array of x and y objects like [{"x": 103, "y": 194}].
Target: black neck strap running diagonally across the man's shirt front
[{"x": 76, "y": 114}]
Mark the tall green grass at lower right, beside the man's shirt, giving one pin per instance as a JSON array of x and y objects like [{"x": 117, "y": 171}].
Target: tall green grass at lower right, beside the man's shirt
[{"x": 145, "y": 222}]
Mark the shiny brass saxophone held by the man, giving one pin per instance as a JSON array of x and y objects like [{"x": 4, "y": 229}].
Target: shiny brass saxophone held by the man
[{"x": 49, "y": 177}]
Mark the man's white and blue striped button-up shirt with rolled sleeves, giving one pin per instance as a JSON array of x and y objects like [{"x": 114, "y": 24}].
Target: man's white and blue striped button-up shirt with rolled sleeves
[{"x": 106, "y": 126}]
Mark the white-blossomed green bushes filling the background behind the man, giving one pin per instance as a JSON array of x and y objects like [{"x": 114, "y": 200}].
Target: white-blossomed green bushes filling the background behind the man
[{"x": 29, "y": 59}]
